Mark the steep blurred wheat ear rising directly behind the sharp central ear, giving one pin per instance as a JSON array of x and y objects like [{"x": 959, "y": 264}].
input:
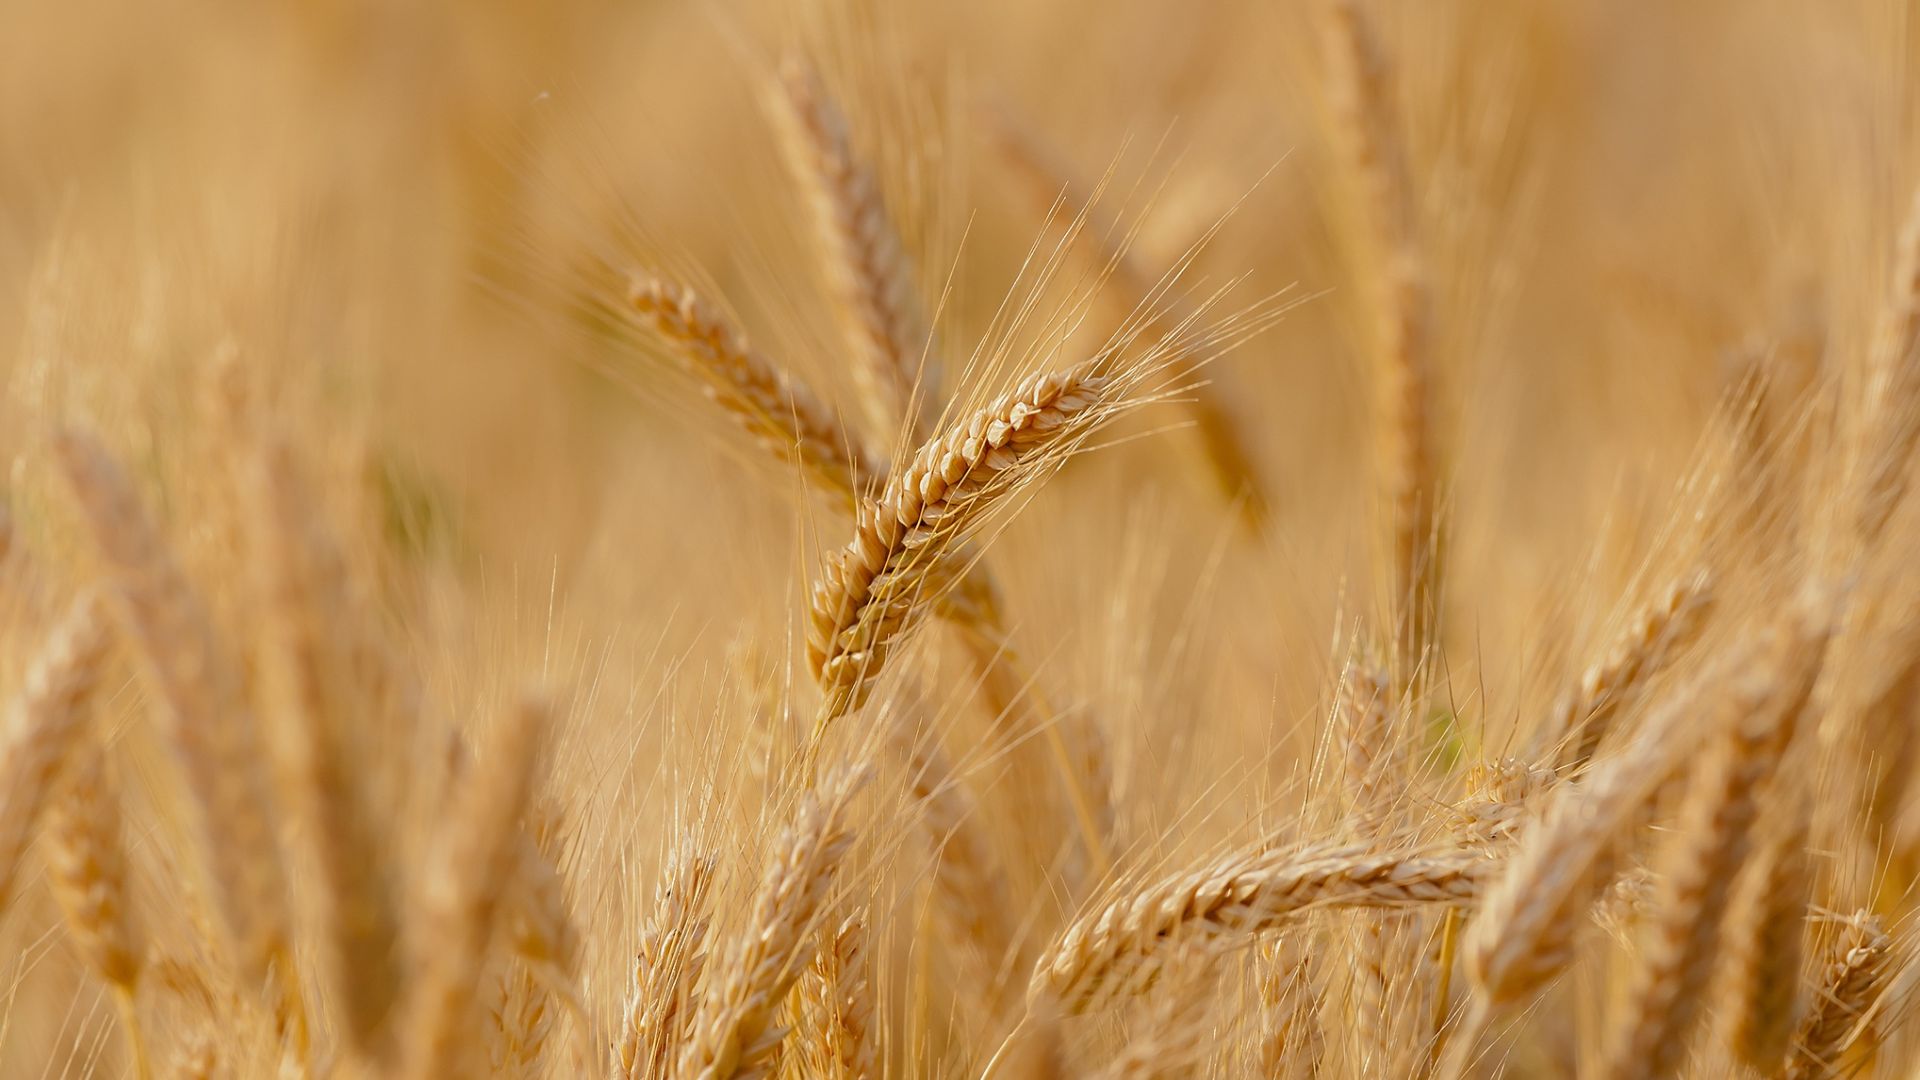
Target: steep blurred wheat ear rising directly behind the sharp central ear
[{"x": 861, "y": 251}]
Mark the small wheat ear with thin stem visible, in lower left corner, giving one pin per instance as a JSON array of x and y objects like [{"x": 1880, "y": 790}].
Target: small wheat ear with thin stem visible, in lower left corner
[{"x": 87, "y": 868}]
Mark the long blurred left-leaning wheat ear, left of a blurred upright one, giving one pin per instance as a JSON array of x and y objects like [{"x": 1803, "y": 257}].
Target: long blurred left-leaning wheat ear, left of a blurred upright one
[{"x": 197, "y": 695}]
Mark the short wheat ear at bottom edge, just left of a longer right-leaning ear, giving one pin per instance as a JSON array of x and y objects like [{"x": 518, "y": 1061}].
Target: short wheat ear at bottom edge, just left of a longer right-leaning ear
[{"x": 673, "y": 954}]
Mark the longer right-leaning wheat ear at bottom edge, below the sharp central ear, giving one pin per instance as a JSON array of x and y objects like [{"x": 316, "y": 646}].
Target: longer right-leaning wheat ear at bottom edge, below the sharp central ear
[{"x": 734, "y": 1031}]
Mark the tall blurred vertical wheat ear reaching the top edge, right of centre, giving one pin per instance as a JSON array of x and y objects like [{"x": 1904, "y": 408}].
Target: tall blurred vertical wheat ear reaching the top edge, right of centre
[{"x": 1362, "y": 97}]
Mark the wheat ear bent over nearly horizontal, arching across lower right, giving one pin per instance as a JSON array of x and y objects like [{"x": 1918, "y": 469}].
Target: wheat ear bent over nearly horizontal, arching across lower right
[{"x": 1118, "y": 948}]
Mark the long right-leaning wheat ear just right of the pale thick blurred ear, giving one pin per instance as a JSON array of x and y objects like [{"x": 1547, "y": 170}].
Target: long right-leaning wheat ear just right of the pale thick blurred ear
[{"x": 1762, "y": 710}]
